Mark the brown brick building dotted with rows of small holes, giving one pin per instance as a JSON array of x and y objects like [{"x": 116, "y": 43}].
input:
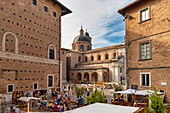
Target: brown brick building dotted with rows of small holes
[{"x": 30, "y": 42}]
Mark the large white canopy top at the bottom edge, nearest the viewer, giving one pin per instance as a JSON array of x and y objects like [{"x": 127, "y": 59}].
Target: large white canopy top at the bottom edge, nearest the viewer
[{"x": 104, "y": 108}]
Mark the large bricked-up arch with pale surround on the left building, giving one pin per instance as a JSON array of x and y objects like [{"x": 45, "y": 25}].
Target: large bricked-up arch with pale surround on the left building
[{"x": 10, "y": 42}]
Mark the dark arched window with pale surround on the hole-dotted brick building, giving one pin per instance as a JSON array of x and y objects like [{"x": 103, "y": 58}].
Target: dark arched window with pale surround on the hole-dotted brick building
[{"x": 51, "y": 52}]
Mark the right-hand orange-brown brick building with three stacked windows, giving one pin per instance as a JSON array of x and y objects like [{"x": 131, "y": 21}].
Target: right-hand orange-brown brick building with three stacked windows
[{"x": 148, "y": 44}]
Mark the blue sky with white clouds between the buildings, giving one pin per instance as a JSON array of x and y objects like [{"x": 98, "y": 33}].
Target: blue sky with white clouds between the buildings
[{"x": 101, "y": 19}]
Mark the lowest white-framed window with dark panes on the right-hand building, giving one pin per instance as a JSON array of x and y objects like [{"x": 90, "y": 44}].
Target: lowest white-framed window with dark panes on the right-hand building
[{"x": 145, "y": 79}]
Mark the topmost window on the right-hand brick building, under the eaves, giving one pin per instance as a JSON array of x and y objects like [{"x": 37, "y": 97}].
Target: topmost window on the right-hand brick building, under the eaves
[{"x": 144, "y": 15}]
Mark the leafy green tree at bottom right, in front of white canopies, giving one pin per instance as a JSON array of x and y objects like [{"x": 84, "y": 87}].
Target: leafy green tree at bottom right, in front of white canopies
[{"x": 156, "y": 105}]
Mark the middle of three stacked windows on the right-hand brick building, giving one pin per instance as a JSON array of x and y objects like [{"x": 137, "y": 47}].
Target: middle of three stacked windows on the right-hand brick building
[{"x": 145, "y": 52}]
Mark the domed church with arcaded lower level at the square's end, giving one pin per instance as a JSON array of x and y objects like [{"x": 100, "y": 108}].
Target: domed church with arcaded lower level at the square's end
[{"x": 93, "y": 65}]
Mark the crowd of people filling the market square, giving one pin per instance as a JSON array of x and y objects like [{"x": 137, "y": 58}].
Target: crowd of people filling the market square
[{"x": 61, "y": 100}]
